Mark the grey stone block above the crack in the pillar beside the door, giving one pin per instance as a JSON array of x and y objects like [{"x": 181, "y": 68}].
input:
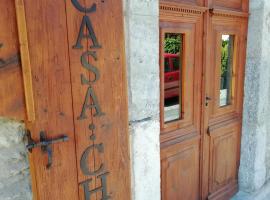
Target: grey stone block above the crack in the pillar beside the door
[{"x": 143, "y": 66}]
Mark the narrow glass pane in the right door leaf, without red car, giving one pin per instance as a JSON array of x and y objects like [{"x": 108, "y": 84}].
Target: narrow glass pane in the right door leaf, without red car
[{"x": 226, "y": 69}]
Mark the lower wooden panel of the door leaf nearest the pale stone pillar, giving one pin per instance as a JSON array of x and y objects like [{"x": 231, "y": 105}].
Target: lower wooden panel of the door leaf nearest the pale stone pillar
[{"x": 180, "y": 170}]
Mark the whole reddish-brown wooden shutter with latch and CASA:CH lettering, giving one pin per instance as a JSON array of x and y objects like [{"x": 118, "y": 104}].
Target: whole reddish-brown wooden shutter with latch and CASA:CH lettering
[{"x": 79, "y": 89}]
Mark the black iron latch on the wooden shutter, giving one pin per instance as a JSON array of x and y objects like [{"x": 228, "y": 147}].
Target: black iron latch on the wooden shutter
[{"x": 44, "y": 144}]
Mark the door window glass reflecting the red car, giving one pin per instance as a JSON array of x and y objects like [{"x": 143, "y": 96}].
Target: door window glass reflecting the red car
[{"x": 173, "y": 52}]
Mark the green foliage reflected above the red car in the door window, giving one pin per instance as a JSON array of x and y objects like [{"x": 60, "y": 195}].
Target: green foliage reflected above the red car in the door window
[{"x": 173, "y": 43}]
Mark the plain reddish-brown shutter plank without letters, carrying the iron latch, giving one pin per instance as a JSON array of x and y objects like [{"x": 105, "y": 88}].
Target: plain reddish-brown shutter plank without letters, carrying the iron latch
[{"x": 48, "y": 47}]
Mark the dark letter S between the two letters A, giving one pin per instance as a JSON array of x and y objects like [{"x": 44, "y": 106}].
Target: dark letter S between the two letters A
[{"x": 89, "y": 67}]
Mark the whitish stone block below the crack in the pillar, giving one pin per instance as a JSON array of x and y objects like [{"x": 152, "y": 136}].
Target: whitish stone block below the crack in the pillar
[{"x": 145, "y": 152}]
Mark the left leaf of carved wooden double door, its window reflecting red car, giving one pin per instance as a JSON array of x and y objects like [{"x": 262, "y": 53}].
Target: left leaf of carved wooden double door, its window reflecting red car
[{"x": 180, "y": 71}]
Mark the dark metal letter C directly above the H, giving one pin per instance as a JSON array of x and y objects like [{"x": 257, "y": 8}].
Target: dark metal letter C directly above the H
[{"x": 84, "y": 160}]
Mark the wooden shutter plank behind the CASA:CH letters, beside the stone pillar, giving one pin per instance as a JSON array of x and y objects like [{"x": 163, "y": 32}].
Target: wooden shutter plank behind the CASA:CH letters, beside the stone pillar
[{"x": 111, "y": 91}]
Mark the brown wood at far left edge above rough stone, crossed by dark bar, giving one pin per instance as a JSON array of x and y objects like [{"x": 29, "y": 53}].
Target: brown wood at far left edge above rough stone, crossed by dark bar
[{"x": 12, "y": 103}]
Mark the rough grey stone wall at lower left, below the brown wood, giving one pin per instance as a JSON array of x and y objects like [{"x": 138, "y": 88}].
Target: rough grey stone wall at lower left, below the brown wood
[{"x": 14, "y": 170}]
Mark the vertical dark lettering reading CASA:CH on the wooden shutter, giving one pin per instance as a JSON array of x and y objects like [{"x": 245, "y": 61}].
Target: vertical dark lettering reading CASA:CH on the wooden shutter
[{"x": 91, "y": 107}]
